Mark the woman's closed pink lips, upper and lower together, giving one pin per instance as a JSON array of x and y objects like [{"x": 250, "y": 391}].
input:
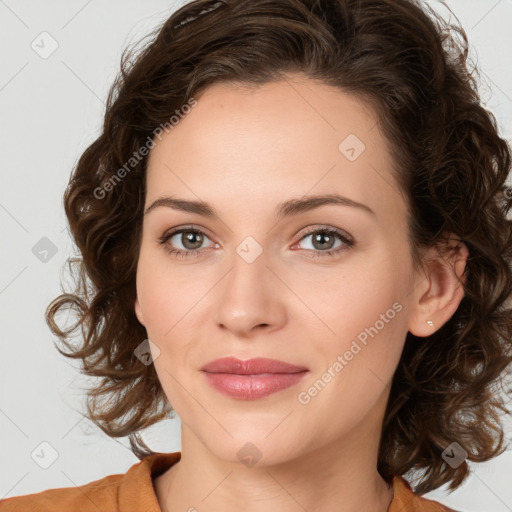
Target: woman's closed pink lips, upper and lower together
[{"x": 254, "y": 378}]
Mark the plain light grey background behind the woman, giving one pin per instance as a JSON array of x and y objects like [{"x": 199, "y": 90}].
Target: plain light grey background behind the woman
[{"x": 51, "y": 110}]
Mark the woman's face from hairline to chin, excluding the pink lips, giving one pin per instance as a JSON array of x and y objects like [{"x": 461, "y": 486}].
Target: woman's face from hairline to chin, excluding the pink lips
[{"x": 258, "y": 280}]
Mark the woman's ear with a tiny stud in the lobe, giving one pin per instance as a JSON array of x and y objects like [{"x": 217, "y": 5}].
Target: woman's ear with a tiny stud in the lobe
[{"x": 438, "y": 291}]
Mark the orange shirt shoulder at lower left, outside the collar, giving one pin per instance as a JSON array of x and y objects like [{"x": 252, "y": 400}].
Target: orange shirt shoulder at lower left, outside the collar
[{"x": 97, "y": 495}]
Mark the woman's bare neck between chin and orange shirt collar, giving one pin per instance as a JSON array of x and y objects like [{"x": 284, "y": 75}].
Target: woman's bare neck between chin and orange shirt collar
[{"x": 339, "y": 477}]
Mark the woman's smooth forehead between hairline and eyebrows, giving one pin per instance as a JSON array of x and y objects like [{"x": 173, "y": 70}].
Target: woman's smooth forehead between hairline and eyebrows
[{"x": 278, "y": 140}]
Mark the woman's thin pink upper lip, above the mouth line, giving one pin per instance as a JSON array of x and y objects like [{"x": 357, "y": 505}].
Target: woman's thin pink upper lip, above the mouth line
[{"x": 250, "y": 366}]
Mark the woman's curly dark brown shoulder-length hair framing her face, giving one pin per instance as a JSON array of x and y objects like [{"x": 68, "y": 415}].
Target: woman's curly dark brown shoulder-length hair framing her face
[{"x": 451, "y": 164}]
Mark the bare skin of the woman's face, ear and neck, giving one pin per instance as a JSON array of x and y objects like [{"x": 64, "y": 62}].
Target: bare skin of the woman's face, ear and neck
[{"x": 244, "y": 152}]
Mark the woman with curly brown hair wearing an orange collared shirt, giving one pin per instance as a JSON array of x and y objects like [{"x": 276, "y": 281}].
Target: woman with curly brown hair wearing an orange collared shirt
[{"x": 294, "y": 236}]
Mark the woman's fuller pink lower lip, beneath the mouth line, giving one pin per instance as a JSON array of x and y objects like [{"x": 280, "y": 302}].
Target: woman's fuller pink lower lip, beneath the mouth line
[{"x": 248, "y": 387}]
